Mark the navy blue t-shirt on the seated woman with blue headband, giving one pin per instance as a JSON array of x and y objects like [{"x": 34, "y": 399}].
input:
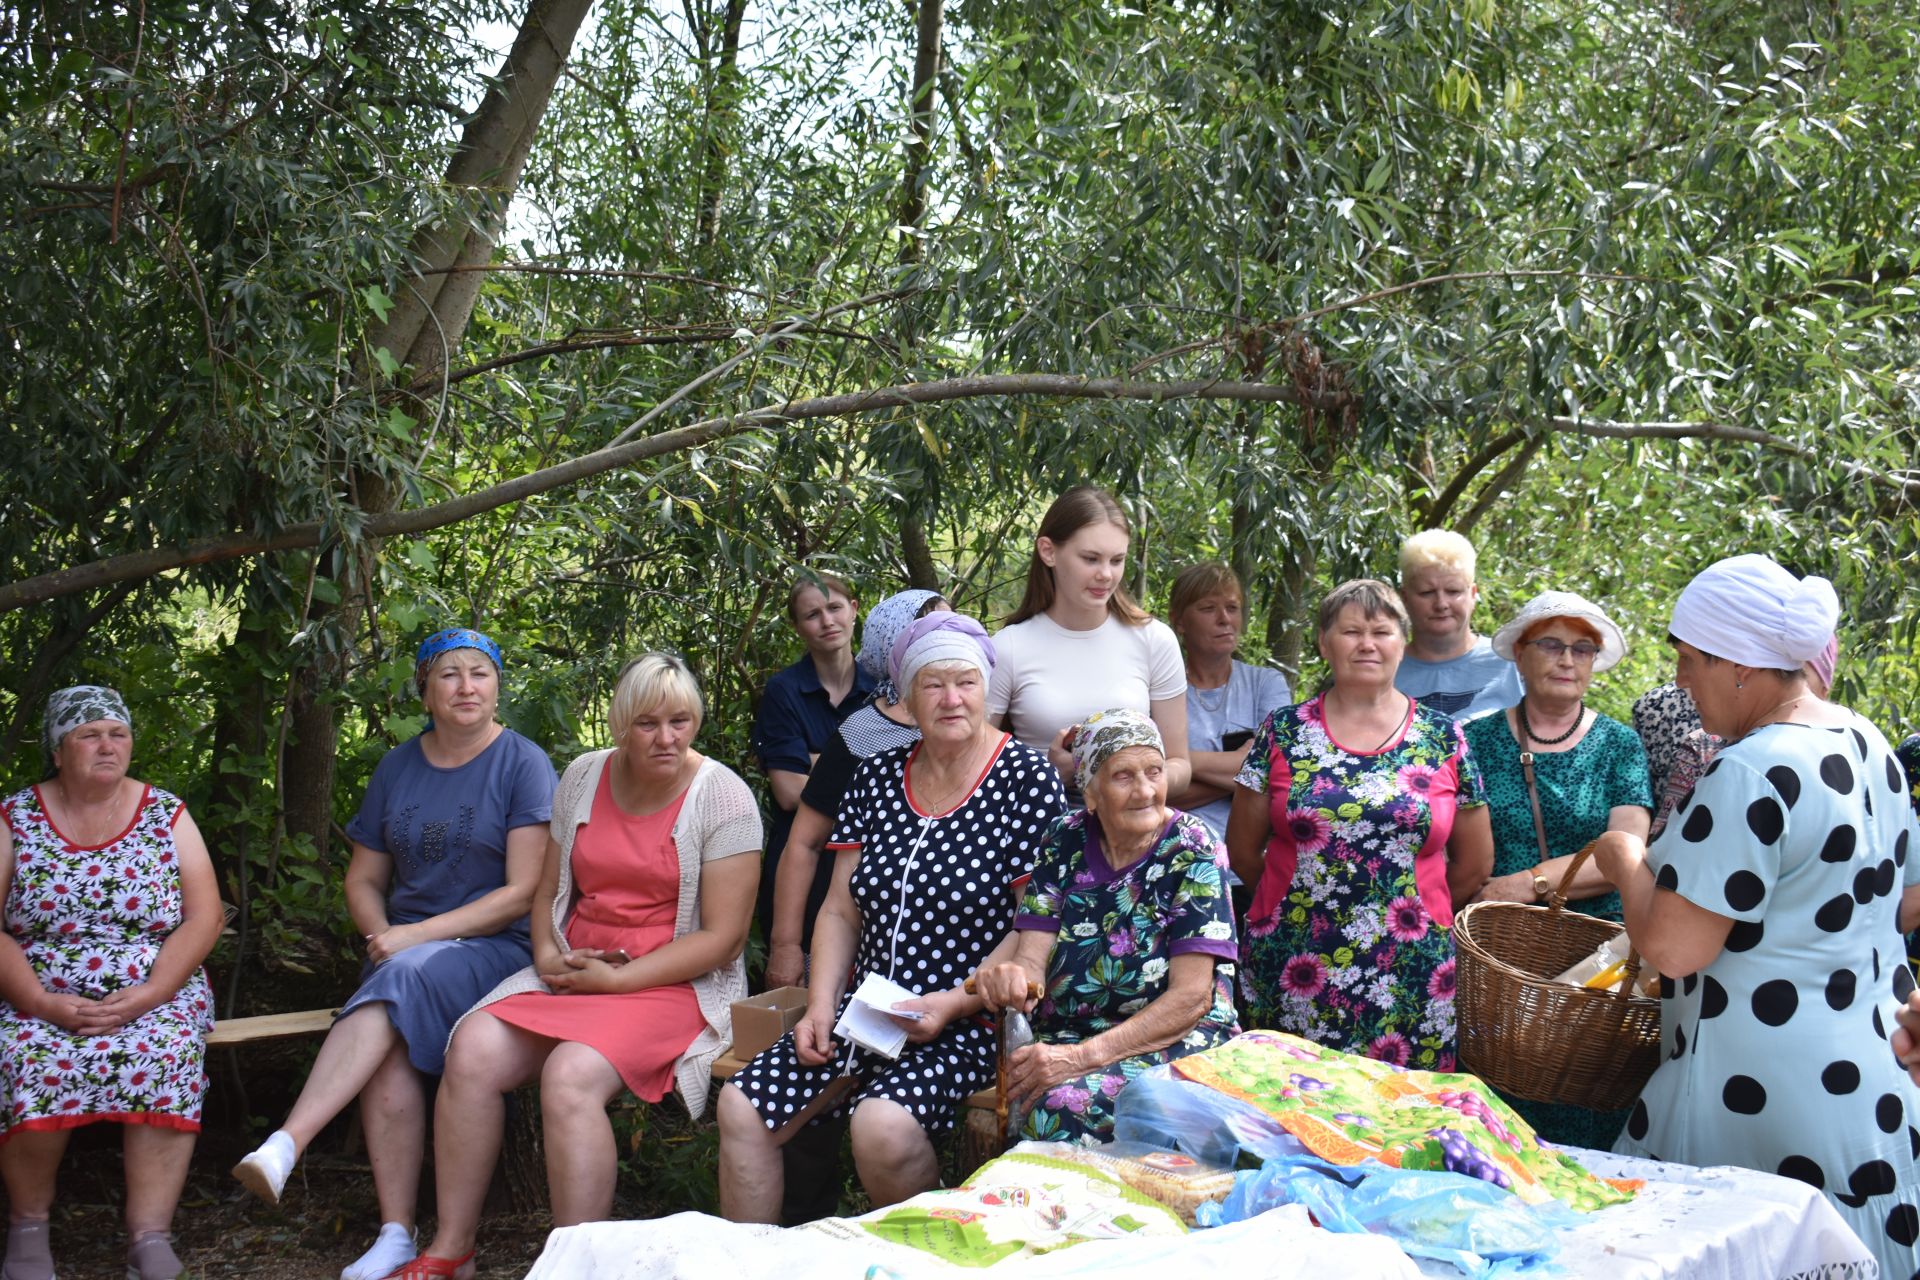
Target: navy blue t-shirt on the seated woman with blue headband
[{"x": 446, "y": 830}]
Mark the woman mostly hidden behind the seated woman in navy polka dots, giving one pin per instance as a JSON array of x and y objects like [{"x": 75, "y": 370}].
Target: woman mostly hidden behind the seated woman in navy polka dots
[{"x": 878, "y": 726}]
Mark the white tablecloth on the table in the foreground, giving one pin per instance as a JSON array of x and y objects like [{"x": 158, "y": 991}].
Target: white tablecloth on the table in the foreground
[{"x": 1687, "y": 1225}]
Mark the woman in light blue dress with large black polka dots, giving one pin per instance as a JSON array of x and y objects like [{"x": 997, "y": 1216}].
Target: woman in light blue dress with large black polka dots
[{"x": 1771, "y": 903}]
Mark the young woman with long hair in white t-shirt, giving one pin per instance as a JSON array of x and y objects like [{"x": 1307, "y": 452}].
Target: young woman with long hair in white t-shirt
[{"x": 1080, "y": 646}]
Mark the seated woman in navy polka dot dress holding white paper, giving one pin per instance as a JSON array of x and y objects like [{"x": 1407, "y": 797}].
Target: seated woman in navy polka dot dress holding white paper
[{"x": 930, "y": 845}]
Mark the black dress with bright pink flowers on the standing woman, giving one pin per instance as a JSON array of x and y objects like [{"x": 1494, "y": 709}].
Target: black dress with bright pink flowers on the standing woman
[{"x": 1349, "y": 941}]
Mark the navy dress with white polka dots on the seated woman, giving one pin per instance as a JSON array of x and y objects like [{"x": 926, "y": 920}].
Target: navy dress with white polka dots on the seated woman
[{"x": 936, "y": 893}]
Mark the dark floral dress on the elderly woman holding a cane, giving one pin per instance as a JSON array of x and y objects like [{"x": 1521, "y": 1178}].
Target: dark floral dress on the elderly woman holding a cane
[{"x": 1115, "y": 939}]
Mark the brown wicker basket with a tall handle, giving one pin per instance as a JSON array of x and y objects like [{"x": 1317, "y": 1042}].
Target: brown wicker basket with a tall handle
[{"x": 1545, "y": 1041}]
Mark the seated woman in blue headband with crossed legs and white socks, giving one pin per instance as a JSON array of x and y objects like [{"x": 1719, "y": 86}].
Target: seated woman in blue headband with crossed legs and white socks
[{"x": 446, "y": 855}]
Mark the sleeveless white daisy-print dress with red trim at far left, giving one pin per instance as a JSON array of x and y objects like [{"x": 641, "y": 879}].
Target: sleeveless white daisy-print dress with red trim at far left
[{"x": 93, "y": 922}]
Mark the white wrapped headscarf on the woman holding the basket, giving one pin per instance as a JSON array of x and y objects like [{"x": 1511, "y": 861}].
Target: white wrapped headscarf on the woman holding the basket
[{"x": 1750, "y": 611}]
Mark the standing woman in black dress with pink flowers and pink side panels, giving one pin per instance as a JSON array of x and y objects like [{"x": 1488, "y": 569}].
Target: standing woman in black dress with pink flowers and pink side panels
[{"x": 1362, "y": 822}]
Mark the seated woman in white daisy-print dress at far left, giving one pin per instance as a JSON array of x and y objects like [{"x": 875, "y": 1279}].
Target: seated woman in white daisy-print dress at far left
[{"x": 105, "y": 1010}]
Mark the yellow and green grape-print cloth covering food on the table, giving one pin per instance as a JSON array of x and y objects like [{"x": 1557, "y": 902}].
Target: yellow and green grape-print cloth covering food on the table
[{"x": 1347, "y": 1110}]
